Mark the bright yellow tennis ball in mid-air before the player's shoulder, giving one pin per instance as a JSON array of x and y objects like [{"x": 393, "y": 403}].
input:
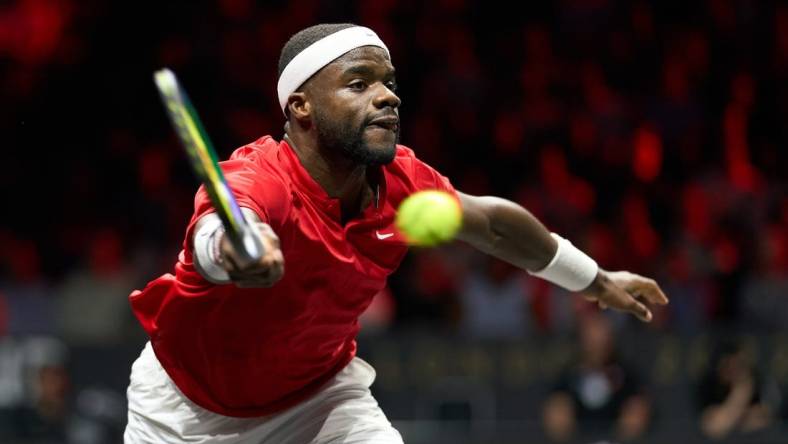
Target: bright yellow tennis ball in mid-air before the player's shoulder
[{"x": 428, "y": 218}]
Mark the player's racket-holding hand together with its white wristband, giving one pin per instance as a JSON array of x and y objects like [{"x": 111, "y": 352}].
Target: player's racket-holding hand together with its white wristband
[{"x": 218, "y": 262}]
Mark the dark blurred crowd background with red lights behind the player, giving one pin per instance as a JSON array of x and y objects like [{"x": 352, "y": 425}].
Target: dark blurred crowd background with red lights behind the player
[{"x": 651, "y": 133}]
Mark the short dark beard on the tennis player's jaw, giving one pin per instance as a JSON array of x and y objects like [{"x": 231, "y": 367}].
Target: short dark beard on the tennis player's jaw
[{"x": 343, "y": 137}]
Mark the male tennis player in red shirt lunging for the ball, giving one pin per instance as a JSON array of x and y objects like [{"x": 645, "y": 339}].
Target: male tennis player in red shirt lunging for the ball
[{"x": 248, "y": 353}]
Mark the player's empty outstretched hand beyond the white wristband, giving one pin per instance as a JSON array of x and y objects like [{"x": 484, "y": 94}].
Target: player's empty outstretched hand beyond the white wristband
[{"x": 625, "y": 291}]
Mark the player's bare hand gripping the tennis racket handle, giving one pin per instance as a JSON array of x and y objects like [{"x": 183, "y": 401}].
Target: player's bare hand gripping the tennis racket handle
[{"x": 263, "y": 273}]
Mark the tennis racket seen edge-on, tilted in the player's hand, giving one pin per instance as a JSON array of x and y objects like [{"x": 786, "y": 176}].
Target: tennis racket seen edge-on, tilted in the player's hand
[{"x": 204, "y": 163}]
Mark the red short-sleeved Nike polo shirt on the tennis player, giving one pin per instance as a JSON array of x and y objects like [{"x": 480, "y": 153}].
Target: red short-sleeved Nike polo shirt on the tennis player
[{"x": 251, "y": 352}]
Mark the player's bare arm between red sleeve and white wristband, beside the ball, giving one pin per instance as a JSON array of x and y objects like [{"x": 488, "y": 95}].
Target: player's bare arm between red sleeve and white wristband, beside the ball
[{"x": 509, "y": 232}]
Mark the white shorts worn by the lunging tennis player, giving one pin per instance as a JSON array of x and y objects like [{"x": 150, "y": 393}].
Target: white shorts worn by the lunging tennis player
[{"x": 343, "y": 411}]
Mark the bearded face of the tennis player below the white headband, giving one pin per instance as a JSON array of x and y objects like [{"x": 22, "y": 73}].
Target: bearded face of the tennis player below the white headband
[{"x": 354, "y": 106}]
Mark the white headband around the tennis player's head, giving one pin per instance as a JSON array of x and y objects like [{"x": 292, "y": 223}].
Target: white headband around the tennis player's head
[{"x": 321, "y": 53}]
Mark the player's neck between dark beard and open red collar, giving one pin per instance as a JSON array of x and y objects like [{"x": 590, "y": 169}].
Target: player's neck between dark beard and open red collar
[{"x": 339, "y": 177}]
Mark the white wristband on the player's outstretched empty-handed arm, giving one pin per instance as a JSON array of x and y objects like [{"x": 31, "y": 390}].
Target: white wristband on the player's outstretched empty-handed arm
[{"x": 570, "y": 268}]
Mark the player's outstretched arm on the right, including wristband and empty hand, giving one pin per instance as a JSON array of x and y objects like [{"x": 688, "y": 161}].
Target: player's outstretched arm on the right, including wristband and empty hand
[{"x": 511, "y": 233}]
